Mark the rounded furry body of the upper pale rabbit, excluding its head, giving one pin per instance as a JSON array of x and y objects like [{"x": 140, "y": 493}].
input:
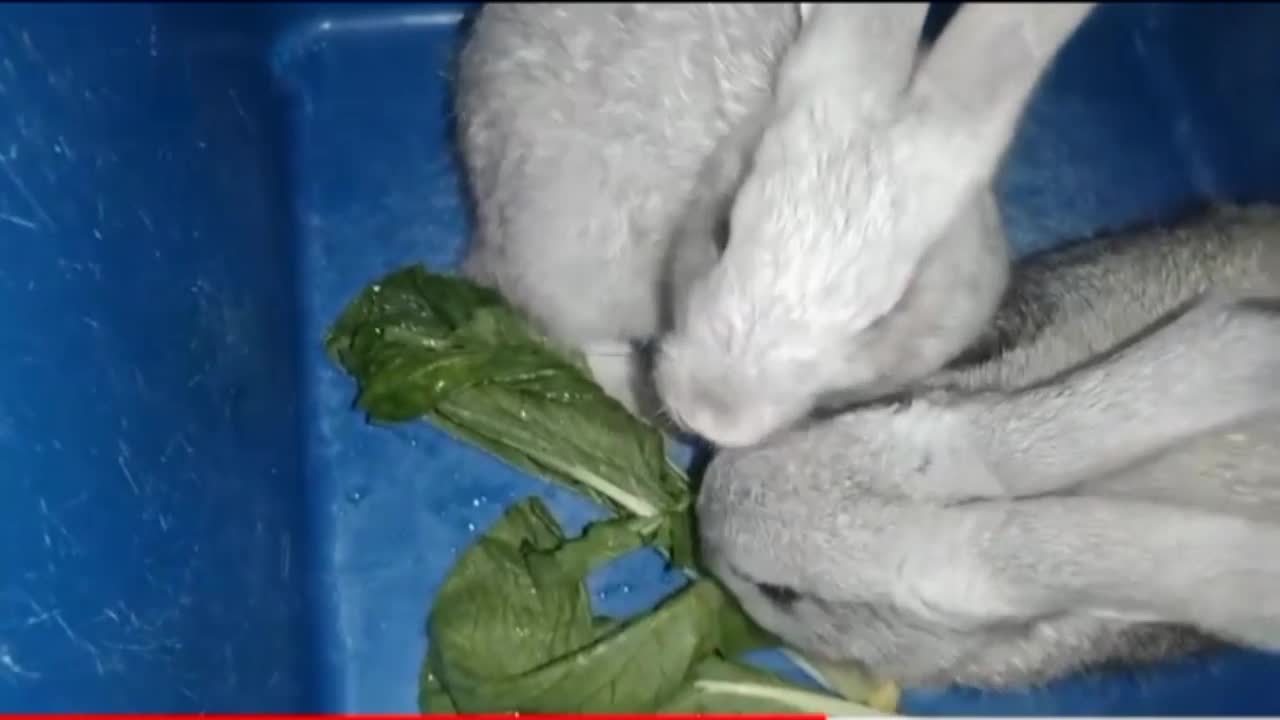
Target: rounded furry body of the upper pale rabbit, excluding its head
[{"x": 583, "y": 129}]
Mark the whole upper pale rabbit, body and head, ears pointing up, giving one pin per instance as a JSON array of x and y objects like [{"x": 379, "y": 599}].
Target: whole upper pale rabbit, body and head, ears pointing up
[{"x": 607, "y": 145}]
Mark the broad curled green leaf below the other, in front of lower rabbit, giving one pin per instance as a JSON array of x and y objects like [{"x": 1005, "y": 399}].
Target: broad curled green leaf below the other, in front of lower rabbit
[{"x": 513, "y": 628}]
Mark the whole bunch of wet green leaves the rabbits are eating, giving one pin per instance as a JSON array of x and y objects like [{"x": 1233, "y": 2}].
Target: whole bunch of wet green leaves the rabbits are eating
[{"x": 513, "y": 628}]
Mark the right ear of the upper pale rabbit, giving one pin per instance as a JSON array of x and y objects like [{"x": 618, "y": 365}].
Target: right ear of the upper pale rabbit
[{"x": 980, "y": 75}]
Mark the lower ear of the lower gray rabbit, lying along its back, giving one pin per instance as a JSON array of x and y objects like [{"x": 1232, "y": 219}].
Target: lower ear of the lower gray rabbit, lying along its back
[{"x": 1110, "y": 559}]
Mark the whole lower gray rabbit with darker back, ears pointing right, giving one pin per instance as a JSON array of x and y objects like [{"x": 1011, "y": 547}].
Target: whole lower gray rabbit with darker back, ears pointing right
[{"x": 1099, "y": 481}]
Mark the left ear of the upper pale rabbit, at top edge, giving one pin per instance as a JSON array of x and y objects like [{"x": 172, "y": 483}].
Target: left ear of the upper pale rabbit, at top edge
[{"x": 862, "y": 53}]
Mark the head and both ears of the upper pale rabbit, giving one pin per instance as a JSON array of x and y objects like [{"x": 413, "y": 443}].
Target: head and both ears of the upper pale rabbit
[{"x": 866, "y": 249}]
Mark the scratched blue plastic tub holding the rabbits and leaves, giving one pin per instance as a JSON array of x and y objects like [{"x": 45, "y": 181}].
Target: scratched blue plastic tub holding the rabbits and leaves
[{"x": 194, "y": 518}]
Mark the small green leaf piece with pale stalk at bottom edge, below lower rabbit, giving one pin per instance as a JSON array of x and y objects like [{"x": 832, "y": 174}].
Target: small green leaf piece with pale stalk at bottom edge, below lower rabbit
[{"x": 723, "y": 687}]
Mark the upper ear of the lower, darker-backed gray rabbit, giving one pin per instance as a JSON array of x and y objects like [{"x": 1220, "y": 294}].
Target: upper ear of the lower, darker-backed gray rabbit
[{"x": 1200, "y": 372}]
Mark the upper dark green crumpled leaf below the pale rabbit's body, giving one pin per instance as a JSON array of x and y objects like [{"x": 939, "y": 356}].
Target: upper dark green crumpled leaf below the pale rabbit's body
[{"x": 440, "y": 348}]
